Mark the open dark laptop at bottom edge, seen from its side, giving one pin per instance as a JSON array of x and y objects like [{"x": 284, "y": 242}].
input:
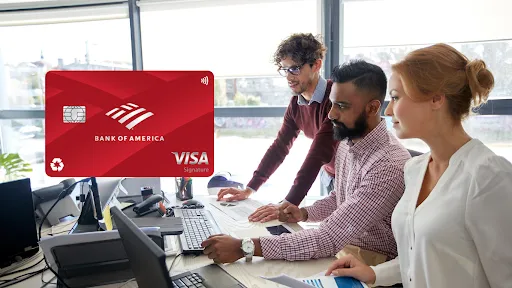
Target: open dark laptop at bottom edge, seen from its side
[{"x": 147, "y": 262}]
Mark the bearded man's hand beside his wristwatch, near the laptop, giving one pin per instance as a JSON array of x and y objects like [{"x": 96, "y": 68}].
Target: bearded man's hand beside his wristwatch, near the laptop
[{"x": 223, "y": 248}]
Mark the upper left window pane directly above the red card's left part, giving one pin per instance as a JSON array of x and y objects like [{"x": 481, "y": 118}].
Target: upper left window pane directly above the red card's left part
[{"x": 28, "y": 52}]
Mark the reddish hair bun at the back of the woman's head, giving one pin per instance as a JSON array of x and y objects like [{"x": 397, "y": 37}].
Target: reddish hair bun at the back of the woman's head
[{"x": 480, "y": 80}]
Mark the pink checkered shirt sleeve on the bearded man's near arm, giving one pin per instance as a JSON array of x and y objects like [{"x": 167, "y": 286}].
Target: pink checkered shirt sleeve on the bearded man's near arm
[{"x": 376, "y": 196}]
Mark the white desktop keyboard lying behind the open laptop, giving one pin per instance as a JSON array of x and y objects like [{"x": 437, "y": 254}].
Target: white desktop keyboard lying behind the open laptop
[{"x": 198, "y": 225}]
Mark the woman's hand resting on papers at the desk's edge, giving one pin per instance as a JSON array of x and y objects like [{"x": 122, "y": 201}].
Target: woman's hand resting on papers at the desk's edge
[{"x": 350, "y": 266}]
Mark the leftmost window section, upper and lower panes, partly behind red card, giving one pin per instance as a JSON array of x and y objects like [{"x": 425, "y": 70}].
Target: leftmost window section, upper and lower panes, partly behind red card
[{"x": 28, "y": 52}]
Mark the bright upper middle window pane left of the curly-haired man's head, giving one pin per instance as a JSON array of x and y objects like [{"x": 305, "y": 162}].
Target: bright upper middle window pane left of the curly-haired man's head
[{"x": 236, "y": 40}]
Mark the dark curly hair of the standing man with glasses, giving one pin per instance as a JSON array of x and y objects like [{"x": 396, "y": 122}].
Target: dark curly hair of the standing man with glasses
[{"x": 302, "y": 48}]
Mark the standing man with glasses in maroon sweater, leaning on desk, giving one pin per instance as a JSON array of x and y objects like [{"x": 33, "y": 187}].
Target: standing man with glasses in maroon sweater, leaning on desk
[{"x": 299, "y": 59}]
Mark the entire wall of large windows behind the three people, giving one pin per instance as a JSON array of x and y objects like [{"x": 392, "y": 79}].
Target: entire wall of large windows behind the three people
[{"x": 236, "y": 41}]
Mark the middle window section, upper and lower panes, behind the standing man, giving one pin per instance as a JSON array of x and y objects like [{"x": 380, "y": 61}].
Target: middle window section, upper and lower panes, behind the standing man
[{"x": 236, "y": 42}]
